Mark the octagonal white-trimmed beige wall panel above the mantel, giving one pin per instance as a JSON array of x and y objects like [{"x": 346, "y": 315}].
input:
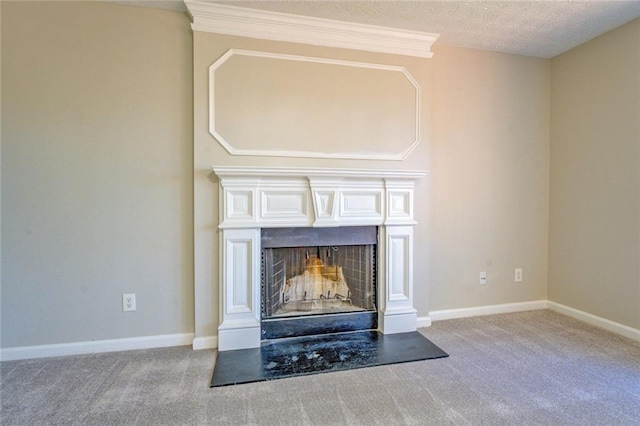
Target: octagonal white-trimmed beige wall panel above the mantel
[{"x": 277, "y": 109}]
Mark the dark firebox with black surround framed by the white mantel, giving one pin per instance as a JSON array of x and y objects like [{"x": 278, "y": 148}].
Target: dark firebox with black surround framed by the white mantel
[{"x": 318, "y": 280}]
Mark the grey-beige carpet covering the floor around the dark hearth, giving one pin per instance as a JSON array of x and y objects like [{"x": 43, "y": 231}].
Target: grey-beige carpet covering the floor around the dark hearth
[{"x": 530, "y": 368}]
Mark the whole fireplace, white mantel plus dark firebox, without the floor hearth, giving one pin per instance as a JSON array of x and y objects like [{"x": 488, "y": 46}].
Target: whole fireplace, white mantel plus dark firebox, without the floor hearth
[{"x": 313, "y": 226}]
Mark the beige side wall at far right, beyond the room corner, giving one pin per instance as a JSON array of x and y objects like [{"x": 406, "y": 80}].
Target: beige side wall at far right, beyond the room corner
[{"x": 595, "y": 176}]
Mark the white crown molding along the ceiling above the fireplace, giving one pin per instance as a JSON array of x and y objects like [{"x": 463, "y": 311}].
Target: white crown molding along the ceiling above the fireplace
[{"x": 239, "y": 21}]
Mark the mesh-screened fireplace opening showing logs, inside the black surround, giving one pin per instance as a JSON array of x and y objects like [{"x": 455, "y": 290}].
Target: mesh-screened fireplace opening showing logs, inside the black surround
[{"x": 320, "y": 279}]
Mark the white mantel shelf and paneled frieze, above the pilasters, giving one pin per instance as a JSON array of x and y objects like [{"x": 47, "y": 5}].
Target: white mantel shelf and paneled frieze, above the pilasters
[{"x": 315, "y": 197}]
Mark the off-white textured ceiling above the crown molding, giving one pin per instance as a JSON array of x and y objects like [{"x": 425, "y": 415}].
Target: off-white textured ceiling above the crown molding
[{"x": 532, "y": 28}]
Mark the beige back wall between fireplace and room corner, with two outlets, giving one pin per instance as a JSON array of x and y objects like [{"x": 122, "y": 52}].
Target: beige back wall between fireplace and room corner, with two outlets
[{"x": 489, "y": 178}]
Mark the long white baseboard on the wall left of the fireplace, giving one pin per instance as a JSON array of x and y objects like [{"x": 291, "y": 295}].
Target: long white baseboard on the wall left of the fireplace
[{"x": 96, "y": 346}]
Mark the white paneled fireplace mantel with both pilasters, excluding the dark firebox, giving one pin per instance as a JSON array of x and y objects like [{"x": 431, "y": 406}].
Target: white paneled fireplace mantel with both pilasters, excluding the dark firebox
[{"x": 252, "y": 198}]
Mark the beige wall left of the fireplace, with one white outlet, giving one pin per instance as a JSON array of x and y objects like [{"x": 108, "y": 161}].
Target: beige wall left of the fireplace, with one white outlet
[{"x": 96, "y": 172}]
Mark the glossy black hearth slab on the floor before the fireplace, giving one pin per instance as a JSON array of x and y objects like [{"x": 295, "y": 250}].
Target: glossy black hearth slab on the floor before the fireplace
[{"x": 277, "y": 359}]
